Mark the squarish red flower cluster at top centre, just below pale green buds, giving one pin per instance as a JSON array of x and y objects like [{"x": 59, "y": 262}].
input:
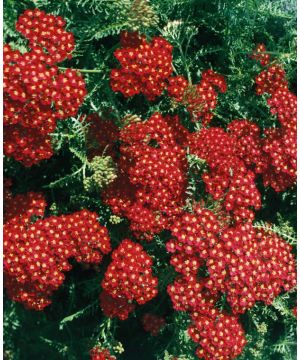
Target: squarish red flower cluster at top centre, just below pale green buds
[{"x": 145, "y": 67}]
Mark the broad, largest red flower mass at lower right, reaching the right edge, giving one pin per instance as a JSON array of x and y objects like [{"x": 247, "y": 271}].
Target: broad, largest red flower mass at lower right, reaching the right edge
[{"x": 246, "y": 264}]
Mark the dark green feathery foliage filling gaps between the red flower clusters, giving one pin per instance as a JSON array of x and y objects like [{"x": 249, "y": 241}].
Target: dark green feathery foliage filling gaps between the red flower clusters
[{"x": 205, "y": 34}]
